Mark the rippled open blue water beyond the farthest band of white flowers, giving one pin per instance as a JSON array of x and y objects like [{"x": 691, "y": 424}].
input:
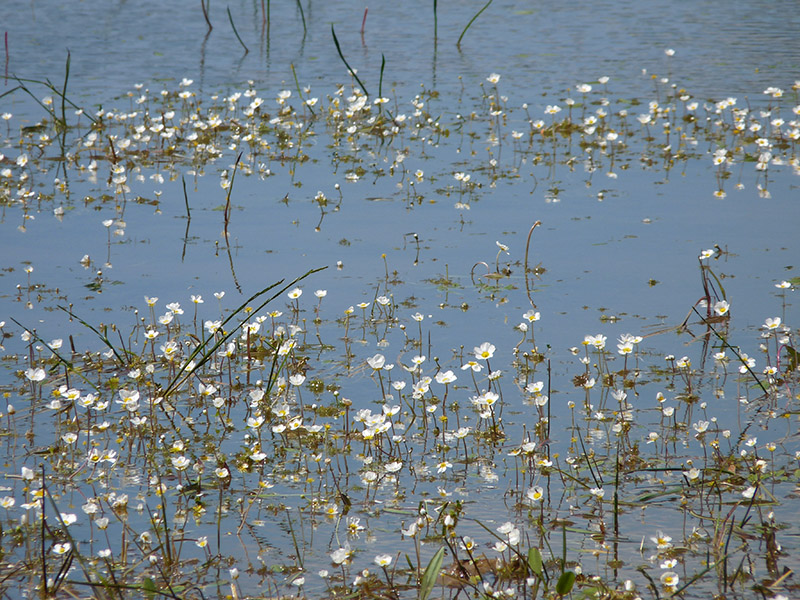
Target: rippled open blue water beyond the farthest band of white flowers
[{"x": 735, "y": 50}]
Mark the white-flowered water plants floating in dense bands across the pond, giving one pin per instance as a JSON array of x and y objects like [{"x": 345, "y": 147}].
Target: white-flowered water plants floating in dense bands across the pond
[{"x": 282, "y": 445}]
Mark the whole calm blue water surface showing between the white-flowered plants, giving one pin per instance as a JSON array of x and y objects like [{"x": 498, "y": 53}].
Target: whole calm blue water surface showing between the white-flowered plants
[{"x": 619, "y": 254}]
